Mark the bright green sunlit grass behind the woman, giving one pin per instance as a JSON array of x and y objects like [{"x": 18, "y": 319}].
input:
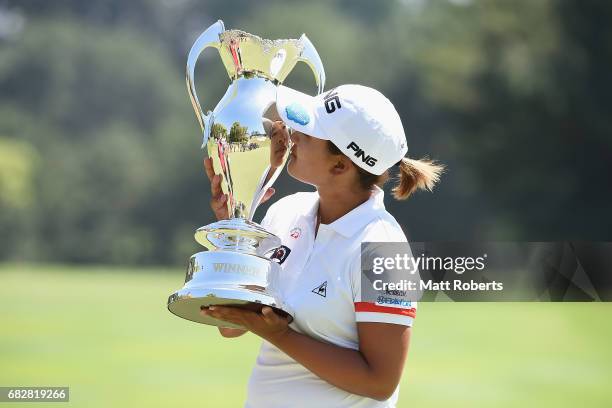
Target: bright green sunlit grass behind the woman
[{"x": 106, "y": 333}]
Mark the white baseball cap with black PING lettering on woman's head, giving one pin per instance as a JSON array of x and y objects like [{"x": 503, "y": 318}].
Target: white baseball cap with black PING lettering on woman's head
[{"x": 359, "y": 120}]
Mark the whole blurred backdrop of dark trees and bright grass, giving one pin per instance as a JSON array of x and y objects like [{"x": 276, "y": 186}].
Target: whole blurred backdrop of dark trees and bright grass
[{"x": 102, "y": 187}]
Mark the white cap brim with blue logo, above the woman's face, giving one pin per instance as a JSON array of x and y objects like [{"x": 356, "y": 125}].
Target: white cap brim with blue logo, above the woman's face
[{"x": 299, "y": 111}]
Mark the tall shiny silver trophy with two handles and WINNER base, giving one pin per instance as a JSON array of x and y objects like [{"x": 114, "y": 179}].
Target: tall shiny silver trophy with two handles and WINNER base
[{"x": 235, "y": 270}]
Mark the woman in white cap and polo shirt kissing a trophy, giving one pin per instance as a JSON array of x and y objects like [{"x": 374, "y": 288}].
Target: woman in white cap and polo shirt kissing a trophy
[{"x": 339, "y": 351}]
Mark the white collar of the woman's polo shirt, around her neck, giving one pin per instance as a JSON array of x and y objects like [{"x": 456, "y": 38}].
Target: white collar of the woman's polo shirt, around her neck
[{"x": 353, "y": 221}]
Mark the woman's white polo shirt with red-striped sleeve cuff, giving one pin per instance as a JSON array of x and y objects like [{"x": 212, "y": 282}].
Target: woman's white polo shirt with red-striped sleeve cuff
[{"x": 320, "y": 284}]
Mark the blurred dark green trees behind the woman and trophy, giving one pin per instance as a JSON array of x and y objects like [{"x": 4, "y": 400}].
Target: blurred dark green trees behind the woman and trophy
[{"x": 99, "y": 147}]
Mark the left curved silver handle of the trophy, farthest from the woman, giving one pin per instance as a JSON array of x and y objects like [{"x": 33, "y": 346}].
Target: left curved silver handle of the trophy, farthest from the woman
[{"x": 209, "y": 38}]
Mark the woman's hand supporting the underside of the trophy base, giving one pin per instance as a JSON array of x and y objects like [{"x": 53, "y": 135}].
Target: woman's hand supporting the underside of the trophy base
[{"x": 267, "y": 324}]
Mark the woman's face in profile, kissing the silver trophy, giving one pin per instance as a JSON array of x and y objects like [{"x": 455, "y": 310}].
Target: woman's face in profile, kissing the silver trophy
[{"x": 310, "y": 161}]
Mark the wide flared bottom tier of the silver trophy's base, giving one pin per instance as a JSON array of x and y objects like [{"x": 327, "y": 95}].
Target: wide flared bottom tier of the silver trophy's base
[{"x": 187, "y": 303}]
